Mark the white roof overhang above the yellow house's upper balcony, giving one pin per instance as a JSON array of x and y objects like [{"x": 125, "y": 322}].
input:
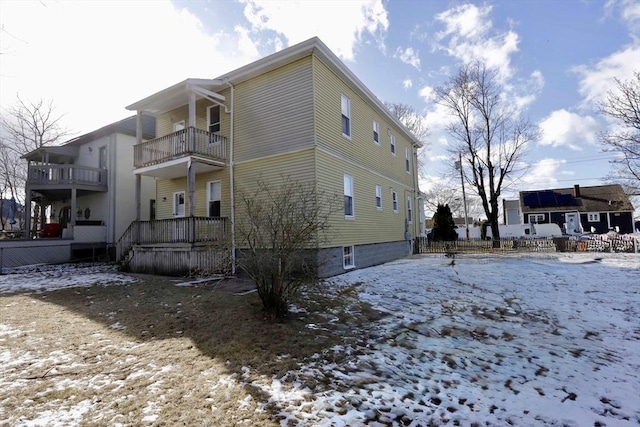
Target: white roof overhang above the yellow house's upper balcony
[{"x": 178, "y": 95}]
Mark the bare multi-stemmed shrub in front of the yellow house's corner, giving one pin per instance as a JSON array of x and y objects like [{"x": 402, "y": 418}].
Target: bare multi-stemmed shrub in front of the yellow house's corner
[{"x": 280, "y": 227}]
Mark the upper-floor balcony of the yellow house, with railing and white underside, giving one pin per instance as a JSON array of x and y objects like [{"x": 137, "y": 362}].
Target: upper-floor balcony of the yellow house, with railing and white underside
[{"x": 159, "y": 157}]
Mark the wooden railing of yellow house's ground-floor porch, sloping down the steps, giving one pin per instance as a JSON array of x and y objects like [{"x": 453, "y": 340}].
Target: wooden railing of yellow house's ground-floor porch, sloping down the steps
[{"x": 175, "y": 230}]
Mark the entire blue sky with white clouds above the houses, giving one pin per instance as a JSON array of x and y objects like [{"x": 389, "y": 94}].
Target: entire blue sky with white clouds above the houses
[{"x": 557, "y": 60}]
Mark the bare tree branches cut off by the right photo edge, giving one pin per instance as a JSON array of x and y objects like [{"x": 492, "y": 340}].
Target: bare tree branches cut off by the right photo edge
[{"x": 623, "y": 106}]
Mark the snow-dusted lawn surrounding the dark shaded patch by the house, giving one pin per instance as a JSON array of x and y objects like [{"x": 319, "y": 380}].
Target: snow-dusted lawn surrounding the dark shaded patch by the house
[{"x": 552, "y": 339}]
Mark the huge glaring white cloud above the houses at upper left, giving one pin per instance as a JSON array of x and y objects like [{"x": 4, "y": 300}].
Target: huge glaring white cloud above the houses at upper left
[{"x": 93, "y": 58}]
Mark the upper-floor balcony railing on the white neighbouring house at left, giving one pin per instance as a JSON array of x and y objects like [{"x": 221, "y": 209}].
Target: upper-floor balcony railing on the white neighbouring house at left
[{"x": 66, "y": 174}]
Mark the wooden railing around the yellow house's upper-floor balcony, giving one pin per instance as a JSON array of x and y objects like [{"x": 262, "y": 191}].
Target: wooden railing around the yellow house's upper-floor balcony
[{"x": 189, "y": 141}]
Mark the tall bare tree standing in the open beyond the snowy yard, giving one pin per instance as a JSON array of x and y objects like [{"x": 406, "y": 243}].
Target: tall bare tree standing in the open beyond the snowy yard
[{"x": 487, "y": 131}]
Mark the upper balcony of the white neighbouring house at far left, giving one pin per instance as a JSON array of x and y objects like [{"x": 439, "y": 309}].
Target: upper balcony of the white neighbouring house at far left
[{"x": 60, "y": 177}]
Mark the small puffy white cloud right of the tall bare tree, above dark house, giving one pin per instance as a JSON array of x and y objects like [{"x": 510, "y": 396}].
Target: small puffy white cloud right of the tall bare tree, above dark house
[{"x": 563, "y": 128}]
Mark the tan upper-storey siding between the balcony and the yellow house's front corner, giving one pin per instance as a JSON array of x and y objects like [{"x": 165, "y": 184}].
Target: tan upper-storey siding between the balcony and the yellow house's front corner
[{"x": 274, "y": 112}]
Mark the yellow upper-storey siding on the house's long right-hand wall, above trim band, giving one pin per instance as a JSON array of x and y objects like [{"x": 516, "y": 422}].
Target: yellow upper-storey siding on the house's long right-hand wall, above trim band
[{"x": 361, "y": 148}]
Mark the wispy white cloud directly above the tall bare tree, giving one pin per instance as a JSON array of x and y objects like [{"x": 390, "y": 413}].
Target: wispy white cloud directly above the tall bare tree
[{"x": 468, "y": 36}]
